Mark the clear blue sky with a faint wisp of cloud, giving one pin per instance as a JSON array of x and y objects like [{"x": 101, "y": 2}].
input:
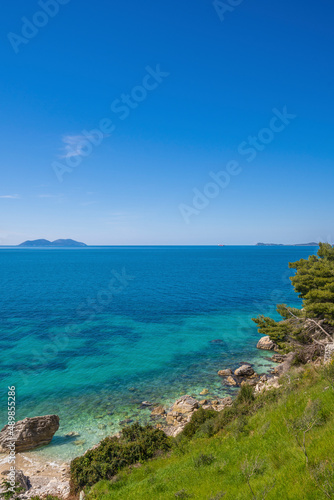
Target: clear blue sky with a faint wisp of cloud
[{"x": 233, "y": 100}]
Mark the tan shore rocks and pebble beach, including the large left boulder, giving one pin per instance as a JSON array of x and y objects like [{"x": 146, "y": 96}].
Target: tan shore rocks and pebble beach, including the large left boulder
[{"x": 38, "y": 478}]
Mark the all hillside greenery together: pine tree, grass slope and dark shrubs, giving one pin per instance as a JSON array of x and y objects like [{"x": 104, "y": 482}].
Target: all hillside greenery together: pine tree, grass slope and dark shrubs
[{"x": 276, "y": 444}]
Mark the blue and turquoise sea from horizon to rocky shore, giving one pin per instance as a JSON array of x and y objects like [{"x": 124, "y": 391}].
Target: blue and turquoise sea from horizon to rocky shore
[{"x": 90, "y": 333}]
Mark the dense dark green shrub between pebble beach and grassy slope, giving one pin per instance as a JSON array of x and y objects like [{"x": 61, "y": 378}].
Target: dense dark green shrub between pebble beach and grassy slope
[{"x": 136, "y": 444}]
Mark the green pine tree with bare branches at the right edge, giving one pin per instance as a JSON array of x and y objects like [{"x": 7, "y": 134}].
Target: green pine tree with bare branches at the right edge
[{"x": 306, "y": 330}]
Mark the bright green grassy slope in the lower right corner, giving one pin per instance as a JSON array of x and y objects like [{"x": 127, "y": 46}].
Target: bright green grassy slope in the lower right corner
[{"x": 259, "y": 455}]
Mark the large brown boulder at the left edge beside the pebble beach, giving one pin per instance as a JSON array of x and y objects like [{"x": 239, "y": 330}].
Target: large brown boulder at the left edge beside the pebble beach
[{"x": 29, "y": 433}]
